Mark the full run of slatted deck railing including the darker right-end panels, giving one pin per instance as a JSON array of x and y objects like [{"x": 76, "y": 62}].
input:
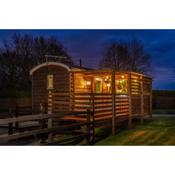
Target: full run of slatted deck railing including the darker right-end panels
[{"x": 101, "y": 104}]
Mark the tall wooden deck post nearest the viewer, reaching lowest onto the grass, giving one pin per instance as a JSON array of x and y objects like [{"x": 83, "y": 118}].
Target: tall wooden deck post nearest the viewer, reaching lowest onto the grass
[{"x": 113, "y": 104}]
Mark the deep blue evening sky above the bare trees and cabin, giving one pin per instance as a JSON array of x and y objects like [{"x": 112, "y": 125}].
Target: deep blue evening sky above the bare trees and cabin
[{"x": 89, "y": 46}]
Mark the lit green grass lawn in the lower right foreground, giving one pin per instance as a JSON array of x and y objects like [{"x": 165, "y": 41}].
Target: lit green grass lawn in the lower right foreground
[{"x": 159, "y": 131}]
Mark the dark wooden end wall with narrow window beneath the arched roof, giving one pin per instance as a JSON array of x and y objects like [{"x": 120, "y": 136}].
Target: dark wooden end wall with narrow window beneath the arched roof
[{"x": 58, "y": 80}]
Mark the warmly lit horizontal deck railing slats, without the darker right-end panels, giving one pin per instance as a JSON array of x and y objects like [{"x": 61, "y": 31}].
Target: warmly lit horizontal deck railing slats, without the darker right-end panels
[{"x": 100, "y": 104}]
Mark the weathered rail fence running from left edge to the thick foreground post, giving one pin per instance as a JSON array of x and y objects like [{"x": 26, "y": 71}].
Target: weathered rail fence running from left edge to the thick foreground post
[{"x": 48, "y": 128}]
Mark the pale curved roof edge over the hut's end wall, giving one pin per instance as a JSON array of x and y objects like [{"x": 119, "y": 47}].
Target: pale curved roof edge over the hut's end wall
[{"x": 48, "y": 64}]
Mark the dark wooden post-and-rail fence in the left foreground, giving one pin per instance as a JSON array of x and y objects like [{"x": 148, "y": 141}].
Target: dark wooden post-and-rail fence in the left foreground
[{"x": 50, "y": 129}]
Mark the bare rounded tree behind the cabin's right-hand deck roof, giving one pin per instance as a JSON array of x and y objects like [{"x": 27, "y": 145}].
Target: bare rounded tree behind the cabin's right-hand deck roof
[{"x": 122, "y": 56}]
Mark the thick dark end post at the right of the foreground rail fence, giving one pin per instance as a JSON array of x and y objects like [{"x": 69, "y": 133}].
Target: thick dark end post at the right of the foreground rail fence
[{"x": 90, "y": 127}]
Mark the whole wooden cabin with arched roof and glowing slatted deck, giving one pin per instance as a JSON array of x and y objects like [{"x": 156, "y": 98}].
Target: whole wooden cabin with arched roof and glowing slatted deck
[{"x": 57, "y": 87}]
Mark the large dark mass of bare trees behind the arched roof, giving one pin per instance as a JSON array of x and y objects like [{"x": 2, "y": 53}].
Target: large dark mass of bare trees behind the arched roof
[{"x": 20, "y": 54}]
